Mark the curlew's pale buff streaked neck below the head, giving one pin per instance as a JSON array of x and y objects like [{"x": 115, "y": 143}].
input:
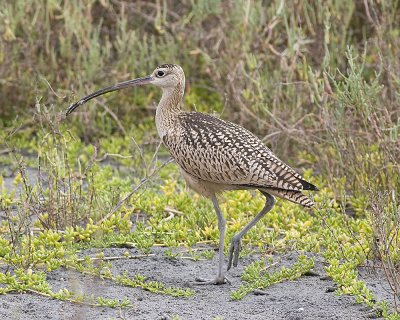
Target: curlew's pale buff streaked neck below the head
[{"x": 168, "y": 108}]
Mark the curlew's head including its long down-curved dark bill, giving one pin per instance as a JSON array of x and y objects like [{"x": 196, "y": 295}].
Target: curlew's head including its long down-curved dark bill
[{"x": 166, "y": 76}]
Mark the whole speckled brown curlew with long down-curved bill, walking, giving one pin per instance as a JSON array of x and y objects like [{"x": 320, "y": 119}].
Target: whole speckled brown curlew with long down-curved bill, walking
[{"x": 214, "y": 156}]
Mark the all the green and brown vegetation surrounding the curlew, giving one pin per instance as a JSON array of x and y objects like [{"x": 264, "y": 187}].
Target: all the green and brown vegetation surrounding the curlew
[{"x": 319, "y": 81}]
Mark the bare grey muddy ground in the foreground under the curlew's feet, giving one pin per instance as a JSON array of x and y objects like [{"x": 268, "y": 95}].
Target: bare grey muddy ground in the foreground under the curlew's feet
[{"x": 306, "y": 298}]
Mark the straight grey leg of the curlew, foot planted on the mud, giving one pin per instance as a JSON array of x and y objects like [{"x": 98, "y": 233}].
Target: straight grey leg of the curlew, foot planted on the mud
[{"x": 220, "y": 279}]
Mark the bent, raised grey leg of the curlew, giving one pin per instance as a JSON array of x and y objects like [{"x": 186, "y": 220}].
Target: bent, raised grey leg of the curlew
[{"x": 234, "y": 249}]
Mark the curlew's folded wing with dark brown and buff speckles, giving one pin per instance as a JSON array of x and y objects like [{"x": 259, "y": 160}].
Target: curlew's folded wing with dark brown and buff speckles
[{"x": 223, "y": 152}]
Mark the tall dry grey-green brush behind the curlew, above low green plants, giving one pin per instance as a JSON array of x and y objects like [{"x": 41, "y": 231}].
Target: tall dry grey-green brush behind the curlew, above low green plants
[{"x": 320, "y": 76}]
